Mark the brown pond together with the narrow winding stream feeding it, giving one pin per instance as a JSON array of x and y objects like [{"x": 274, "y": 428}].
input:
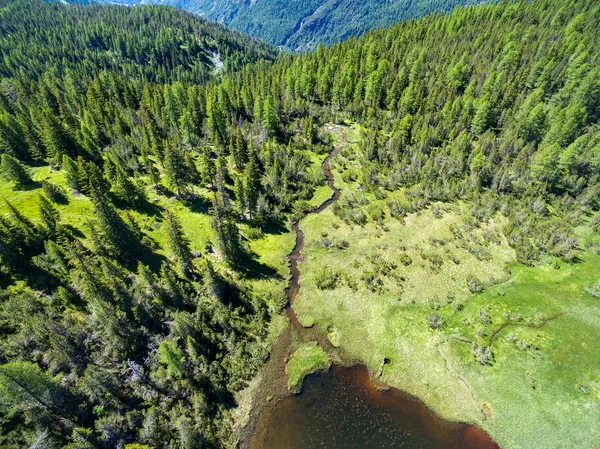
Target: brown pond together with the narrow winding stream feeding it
[{"x": 341, "y": 409}]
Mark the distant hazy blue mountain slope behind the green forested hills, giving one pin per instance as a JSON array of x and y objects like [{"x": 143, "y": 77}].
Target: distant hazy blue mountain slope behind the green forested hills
[{"x": 303, "y": 24}]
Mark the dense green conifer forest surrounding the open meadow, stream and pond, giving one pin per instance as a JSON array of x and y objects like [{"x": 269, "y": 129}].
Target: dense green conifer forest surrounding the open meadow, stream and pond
[{"x": 110, "y": 337}]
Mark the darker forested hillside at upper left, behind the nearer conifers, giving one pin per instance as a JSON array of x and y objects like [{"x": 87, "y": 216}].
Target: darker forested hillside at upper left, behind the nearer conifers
[{"x": 151, "y": 43}]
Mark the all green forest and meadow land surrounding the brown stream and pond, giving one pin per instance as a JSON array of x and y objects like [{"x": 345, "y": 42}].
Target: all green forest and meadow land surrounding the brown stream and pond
[{"x": 146, "y": 201}]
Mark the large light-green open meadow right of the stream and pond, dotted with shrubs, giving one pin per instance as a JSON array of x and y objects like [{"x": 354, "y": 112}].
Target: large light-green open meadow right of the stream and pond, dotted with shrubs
[{"x": 541, "y": 387}]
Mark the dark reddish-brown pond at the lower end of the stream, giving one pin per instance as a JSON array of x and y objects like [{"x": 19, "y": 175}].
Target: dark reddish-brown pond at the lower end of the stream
[{"x": 341, "y": 409}]
